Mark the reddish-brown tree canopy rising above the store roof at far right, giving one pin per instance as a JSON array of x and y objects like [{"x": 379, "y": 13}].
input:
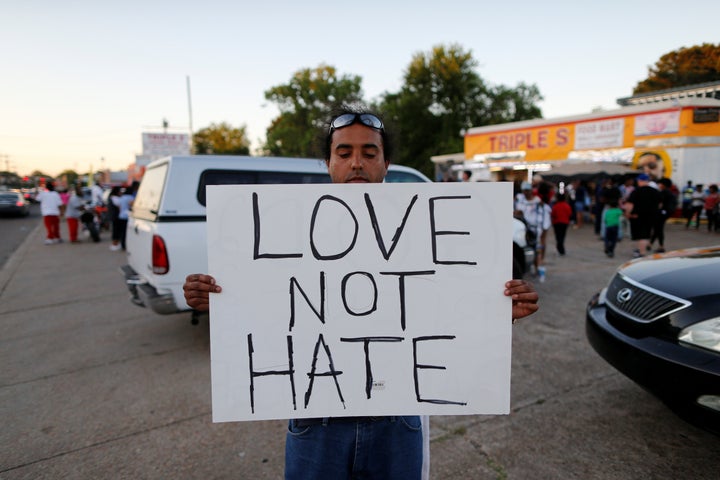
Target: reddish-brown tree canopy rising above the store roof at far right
[{"x": 685, "y": 66}]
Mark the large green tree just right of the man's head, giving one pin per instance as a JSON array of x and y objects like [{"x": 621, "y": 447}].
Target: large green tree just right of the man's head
[{"x": 442, "y": 96}]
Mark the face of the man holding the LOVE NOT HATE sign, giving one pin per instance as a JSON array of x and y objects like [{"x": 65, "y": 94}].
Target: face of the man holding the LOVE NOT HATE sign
[{"x": 356, "y": 155}]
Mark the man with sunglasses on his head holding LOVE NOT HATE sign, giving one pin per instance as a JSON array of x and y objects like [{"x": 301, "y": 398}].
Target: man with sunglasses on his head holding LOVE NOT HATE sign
[{"x": 357, "y": 150}]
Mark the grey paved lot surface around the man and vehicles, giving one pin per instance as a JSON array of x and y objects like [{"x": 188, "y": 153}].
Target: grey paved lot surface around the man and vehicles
[{"x": 94, "y": 387}]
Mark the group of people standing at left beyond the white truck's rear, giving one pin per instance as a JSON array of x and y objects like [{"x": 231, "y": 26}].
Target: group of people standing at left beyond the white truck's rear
[{"x": 94, "y": 213}]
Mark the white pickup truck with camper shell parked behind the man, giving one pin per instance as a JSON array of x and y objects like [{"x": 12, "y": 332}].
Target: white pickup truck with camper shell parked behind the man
[{"x": 166, "y": 232}]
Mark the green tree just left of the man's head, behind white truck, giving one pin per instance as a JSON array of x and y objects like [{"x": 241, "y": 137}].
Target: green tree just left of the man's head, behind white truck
[{"x": 304, "y": 104}]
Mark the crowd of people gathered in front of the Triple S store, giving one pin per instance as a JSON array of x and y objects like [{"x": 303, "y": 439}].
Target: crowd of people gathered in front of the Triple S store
[{"x": 631, "y": 206}]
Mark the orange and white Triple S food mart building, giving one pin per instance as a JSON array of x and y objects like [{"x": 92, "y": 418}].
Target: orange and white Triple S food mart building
[{"x": 681, "y": 132}]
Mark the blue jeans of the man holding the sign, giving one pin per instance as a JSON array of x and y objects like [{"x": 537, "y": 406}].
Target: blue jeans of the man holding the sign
[{"x": 376, "y": 448}]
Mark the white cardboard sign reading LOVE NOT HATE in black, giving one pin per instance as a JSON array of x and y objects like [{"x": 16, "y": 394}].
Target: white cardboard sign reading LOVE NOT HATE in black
[{"x": 353, "y": 300}]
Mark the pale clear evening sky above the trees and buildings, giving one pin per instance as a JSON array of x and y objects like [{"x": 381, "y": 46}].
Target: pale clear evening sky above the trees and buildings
[{"x": 81, "y": 80}]
